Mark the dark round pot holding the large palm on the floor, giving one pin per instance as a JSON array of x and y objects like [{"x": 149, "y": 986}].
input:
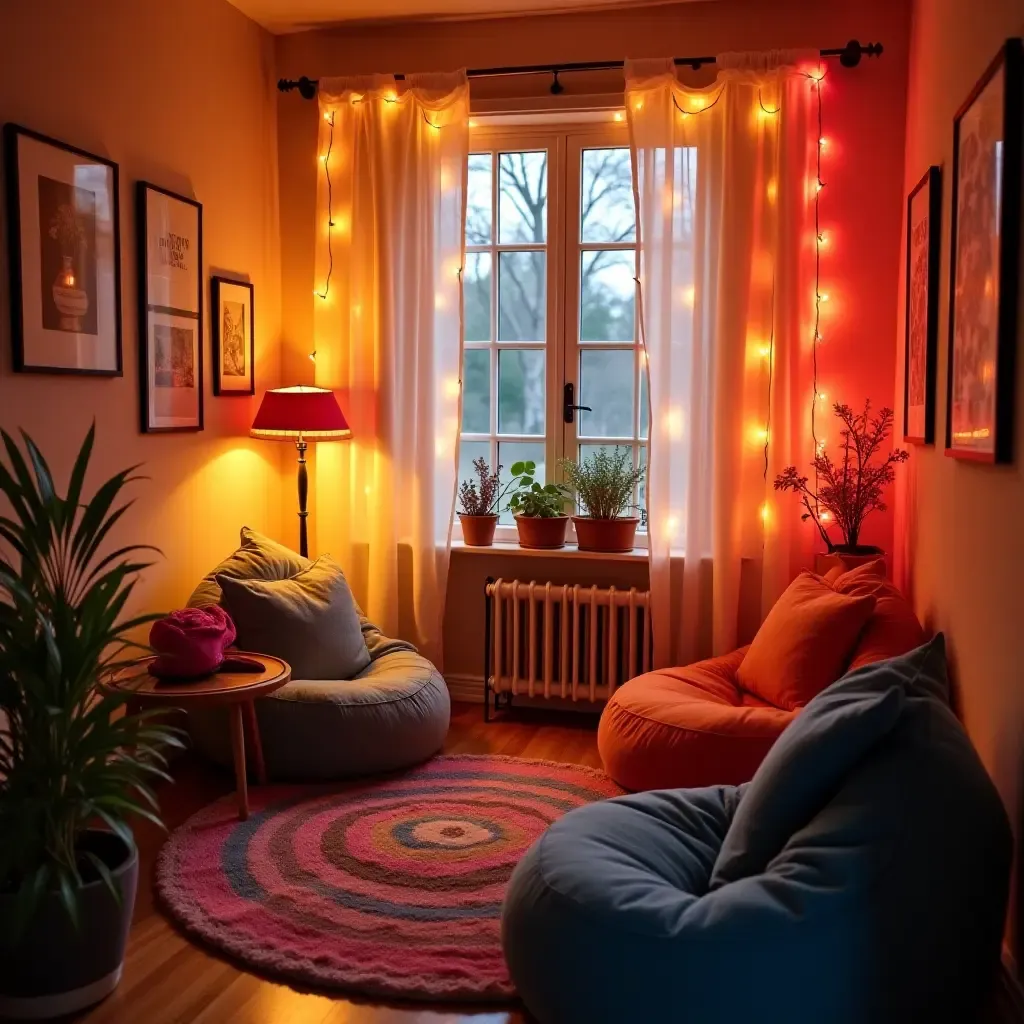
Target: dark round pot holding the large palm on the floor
[{"x": 57, "y": 970}]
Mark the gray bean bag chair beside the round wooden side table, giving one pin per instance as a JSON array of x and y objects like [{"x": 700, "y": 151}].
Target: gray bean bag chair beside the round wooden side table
[{"x": 394, "y": 714}]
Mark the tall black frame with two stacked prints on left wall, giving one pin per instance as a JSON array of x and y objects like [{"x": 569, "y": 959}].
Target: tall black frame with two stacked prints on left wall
[{"x": 185, "y": 315}]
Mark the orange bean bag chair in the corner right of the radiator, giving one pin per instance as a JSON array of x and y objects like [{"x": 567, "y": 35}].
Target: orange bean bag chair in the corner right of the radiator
[{"x": 697, "y": 727}]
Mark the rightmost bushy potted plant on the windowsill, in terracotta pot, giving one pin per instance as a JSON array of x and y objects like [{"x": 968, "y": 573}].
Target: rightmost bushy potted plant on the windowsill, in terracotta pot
[{"x": 604, "y": 486}]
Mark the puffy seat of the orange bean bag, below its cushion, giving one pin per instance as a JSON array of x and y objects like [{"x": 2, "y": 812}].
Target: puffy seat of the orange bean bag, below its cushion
[{"x": 688, "y": 728}]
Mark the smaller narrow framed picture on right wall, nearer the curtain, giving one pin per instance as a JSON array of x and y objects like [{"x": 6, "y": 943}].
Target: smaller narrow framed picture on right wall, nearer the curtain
[{"x": 927, "y": 193}]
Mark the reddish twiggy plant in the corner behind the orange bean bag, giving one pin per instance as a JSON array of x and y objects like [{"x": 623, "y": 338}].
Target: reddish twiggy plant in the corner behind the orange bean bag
[{"x": 847, "y": 490}]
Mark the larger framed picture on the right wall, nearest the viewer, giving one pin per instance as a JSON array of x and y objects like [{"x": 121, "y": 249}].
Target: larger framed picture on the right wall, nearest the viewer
[{"x": 986, "y": 260}]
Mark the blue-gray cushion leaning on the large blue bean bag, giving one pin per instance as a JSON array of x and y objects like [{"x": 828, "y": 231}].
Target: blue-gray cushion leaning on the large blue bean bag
[{"x": 807, "y": 763}]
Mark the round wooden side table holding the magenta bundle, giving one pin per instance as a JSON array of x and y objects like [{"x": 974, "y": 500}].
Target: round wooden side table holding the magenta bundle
[{"x": 236, "y": 690}]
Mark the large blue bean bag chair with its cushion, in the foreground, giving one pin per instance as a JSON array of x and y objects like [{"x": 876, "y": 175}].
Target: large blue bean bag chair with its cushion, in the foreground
[{"x": 862, "y": 878}]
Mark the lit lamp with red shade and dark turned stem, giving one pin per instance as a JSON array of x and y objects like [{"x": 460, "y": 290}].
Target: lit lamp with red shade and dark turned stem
[{"x": 302, "y": 414}]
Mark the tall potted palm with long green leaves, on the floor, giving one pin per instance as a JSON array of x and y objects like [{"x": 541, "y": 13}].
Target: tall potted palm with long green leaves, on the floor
[{"x": 72, "y": 774}]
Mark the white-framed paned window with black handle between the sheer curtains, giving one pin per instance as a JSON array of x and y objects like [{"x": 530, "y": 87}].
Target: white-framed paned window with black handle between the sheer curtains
[{"x": 550, "y": 300}]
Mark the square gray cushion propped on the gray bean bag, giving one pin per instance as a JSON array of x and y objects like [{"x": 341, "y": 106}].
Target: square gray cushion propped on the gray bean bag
[{"x": 310, "y": 620}]
